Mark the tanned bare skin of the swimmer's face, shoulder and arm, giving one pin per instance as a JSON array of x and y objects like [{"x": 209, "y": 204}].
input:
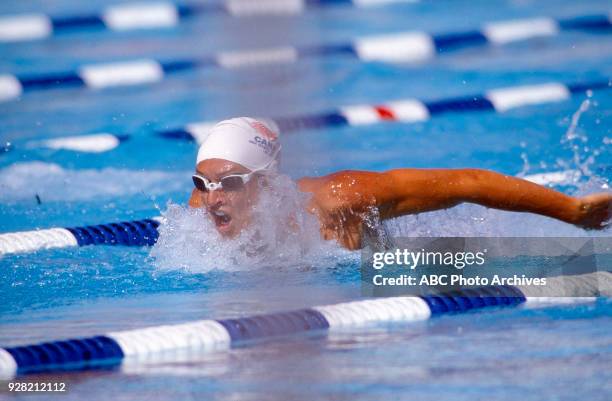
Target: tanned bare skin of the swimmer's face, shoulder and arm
[{"x": 341, "y": 201}]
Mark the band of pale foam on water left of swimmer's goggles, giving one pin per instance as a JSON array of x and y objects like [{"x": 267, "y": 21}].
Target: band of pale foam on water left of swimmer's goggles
[{"x": 51, "y": 182}]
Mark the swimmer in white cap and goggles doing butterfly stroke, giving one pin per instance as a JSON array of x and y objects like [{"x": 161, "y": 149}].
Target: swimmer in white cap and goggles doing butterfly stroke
[{"x": 238, "y": 155}]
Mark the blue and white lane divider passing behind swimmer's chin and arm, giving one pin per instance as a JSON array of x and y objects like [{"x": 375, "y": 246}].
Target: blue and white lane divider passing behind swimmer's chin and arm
[{"x": 144, "y": 232}]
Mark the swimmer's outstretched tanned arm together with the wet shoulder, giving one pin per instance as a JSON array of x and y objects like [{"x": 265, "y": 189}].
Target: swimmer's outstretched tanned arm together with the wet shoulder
[{"x": 407, "y": 191}]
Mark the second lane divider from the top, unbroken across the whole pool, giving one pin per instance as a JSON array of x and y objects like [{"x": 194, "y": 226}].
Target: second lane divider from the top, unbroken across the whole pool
[{"x": 400, "y": 48}]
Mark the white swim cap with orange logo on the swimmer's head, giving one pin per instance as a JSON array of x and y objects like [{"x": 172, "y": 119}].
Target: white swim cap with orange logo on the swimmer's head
[{"x": 250, "y": 142}]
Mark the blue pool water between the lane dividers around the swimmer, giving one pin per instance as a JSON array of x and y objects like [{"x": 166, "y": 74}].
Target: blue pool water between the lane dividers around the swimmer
[{"x": 556, "y": 353}]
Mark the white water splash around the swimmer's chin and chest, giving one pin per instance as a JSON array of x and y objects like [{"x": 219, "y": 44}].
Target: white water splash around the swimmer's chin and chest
[{"x": 188, "y": 239}]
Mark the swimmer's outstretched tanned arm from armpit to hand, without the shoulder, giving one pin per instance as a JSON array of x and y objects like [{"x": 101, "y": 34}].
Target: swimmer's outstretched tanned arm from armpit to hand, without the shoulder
[{"x": 422, "y": 190}]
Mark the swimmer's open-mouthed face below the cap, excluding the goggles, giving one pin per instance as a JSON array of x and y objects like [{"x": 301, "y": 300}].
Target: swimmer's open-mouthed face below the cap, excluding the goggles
[{"x": 229, "y": 210}]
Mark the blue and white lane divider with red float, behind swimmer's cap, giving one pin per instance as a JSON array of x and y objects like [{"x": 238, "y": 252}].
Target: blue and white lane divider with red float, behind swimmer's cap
[{"x": 402, "y": 110}]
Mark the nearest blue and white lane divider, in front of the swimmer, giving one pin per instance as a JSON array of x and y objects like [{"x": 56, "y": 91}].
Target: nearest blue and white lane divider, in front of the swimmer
[{"x": 142, "y": 346}]
